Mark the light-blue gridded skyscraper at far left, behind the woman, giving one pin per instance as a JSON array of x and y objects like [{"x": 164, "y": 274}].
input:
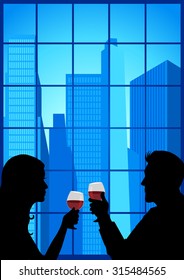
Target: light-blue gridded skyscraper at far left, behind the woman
[{"x": 22, "y": 104}]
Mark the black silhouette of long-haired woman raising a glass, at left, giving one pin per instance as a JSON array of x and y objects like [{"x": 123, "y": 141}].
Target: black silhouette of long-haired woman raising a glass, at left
[{"x": 22, "y": 185}]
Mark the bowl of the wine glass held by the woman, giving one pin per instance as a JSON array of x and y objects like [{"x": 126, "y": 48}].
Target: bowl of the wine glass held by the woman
[{"x": 75, "y": 200}]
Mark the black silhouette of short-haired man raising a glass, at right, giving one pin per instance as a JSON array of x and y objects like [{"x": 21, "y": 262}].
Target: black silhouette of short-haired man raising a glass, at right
[{"x": 160, "y": 233}]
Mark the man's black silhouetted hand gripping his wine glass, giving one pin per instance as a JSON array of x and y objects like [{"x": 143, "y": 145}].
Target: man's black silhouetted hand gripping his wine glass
[{"x": 99, "y": 207}]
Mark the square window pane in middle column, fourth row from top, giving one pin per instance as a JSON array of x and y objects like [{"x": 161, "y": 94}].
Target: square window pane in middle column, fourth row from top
[{"x": 90, "y": 149}]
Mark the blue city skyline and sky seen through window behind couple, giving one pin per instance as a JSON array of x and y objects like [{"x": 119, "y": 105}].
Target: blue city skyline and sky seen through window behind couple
[{"x": 98, "y": 125}]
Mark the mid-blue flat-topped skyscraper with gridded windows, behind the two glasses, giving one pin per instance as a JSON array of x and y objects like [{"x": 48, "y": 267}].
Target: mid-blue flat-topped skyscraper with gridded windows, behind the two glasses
[{"x": 88, "y": 146}]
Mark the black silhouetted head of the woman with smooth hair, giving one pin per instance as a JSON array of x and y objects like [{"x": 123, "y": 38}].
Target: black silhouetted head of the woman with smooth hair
[{"x": 23, "y": 176}]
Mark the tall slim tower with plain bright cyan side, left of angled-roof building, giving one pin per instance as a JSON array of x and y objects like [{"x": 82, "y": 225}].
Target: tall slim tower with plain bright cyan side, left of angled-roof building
[{"x": 113, "y": 81}]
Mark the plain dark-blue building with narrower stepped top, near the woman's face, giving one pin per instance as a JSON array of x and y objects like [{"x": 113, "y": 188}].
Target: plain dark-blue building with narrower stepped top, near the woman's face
[{"x": 60, "y": 178}]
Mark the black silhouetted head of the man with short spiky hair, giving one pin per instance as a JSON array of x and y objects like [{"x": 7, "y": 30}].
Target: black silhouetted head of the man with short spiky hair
[{"x": 163, "y": 175}]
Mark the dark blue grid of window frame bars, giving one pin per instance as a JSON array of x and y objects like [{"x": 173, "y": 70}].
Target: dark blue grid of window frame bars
[{"x": 109, "y": 85}]
